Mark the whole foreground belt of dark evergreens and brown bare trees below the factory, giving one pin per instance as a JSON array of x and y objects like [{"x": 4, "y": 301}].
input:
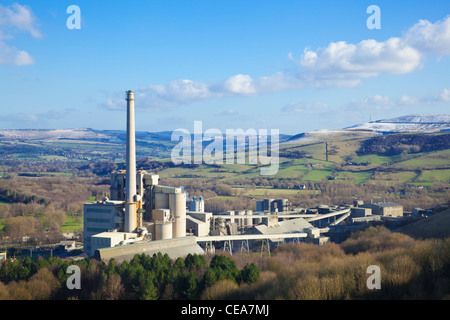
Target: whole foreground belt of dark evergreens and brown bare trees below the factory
[{"x": 411, "y": 269}]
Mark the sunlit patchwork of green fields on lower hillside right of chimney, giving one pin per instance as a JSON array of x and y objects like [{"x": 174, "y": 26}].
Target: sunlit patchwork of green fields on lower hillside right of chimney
[{"x": 301, "y": 169}]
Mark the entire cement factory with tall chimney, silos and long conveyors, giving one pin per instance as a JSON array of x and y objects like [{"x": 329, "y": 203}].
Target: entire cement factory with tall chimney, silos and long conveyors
[{"x": 142, "y": 216}]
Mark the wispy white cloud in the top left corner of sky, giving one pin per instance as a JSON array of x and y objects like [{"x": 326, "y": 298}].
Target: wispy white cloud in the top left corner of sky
[{"x": 16, "y": 18}]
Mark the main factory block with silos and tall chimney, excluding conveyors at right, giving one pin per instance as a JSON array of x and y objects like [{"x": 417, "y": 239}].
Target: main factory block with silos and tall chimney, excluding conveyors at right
[{"x": 140, "y": 214}]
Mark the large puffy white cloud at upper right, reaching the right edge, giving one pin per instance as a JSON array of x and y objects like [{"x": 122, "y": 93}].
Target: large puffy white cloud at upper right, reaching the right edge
[{"x": 346, "y": 64}]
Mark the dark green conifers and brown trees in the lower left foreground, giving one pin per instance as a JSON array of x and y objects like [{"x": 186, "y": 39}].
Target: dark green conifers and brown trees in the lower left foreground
[{"x": 142, "y": 278}]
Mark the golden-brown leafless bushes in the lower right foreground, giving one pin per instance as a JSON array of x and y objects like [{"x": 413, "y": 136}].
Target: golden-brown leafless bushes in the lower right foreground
[{"x": 409, "y": 269}]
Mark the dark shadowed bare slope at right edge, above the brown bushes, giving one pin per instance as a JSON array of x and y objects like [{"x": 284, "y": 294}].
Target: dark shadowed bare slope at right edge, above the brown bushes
[{"x": 435, "y": 226}]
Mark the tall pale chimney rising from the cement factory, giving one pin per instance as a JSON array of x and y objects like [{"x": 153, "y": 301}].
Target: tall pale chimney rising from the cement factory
[{"x": 130, "y": 191}]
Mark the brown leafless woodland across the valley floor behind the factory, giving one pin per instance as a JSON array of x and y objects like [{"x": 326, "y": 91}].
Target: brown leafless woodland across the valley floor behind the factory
[{"x": 41, "y": 207}]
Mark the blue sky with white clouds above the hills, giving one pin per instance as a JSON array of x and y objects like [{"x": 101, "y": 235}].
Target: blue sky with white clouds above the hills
[{"x": 290, "y": 65}]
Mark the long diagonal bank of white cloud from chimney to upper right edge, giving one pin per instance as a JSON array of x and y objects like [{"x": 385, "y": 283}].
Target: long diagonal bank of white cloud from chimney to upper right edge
[{"x": 340, "y": 64}]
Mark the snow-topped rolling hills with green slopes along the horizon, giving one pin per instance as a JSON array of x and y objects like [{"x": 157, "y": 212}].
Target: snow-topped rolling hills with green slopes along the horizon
[{"x": 406, "y": 154}]
